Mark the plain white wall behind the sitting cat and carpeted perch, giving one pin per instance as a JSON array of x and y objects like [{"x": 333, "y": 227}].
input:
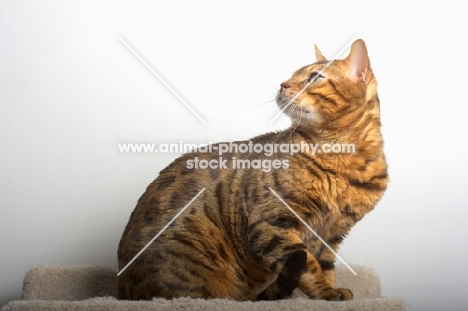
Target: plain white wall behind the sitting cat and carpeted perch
[{"x": 70, "y": 91}]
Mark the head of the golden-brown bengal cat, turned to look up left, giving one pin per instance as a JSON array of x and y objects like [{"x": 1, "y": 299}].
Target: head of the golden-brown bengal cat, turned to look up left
[{"x": 330, "y": 95}]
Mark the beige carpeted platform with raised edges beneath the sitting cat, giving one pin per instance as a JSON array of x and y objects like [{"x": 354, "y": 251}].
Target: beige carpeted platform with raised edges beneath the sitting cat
[{"x": 95, "y": 287}]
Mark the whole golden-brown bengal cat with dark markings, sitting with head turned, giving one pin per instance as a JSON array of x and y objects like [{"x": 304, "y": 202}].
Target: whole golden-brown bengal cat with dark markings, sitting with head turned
[{"x": 238, "y": 240}]
